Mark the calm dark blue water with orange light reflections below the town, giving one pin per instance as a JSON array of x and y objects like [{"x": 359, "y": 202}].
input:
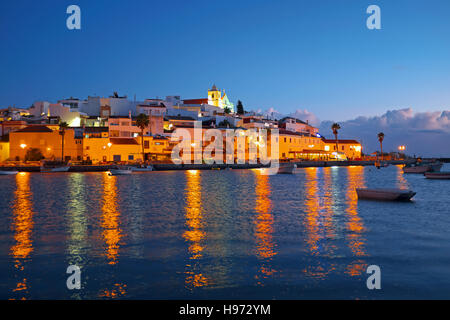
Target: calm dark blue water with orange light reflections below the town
[{"x": 222, "y": 234}]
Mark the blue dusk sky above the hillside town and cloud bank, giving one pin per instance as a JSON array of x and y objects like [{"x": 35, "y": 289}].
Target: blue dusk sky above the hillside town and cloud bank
[{"x": 315, "y": 55}]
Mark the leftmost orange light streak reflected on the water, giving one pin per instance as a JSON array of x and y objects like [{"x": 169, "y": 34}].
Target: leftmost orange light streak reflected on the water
[{"x": 23, "y": 228}]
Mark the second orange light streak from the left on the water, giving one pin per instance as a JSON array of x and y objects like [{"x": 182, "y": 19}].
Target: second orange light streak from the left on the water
[{"x": 112, "y": 233}]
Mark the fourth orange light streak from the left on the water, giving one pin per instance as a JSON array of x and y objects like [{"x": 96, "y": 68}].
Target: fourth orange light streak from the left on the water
[{"x": 265, "y": 246}]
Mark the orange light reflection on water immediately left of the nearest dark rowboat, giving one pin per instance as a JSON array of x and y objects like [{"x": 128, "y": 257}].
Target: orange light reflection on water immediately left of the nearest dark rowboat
[{"x": 354, "y": 222}]
